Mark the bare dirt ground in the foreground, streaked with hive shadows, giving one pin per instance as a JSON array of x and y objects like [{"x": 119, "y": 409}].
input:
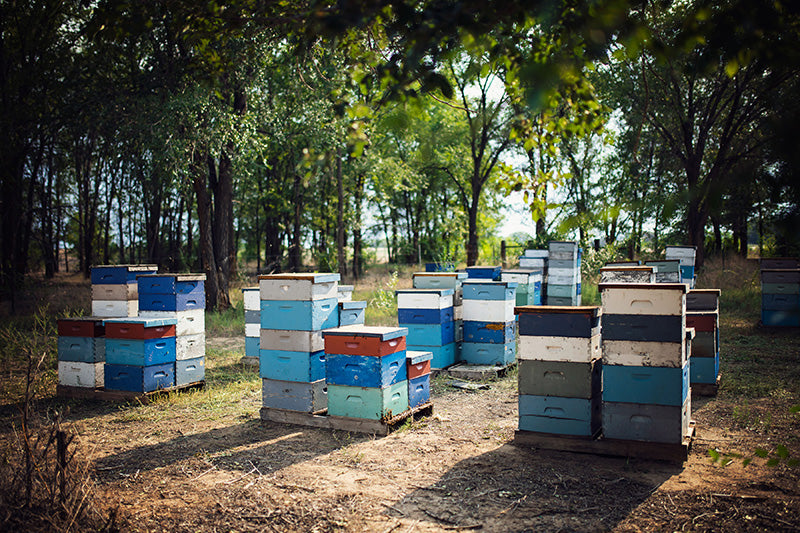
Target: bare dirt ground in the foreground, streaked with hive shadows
[{"x": 456, "y": 470}]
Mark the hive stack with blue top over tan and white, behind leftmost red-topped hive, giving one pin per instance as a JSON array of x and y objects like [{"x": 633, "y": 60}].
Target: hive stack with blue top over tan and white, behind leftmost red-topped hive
[{"x": 115, "y": 290}]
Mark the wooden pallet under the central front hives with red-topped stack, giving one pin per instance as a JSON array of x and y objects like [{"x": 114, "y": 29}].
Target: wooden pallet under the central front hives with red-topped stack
[{"x": 344, "y": 423}]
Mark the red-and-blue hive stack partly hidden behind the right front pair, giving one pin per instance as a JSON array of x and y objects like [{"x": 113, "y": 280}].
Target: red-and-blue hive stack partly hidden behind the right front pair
[{"x": 702, "y": 314}]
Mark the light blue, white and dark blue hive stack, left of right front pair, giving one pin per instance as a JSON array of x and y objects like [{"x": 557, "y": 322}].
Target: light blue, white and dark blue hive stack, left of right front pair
[{"x": 489, "y": 324}]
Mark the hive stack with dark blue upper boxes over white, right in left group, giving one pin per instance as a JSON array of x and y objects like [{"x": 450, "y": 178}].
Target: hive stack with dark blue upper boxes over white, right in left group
[{"x": 181, "y": 297}]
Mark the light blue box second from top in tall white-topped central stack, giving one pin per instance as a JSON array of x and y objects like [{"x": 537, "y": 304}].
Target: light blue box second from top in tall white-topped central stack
[{"x": 300, "y": 315}]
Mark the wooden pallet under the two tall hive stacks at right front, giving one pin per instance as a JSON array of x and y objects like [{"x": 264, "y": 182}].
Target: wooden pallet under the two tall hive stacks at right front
[{"x": 657, "y": 451}]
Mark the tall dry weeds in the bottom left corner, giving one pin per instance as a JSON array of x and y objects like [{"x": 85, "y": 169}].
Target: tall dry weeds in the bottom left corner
[{"x": 46, "y": 485}]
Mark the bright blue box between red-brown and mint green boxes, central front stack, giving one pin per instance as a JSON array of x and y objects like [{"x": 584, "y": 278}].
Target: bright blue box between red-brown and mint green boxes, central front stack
[{"x": 366, "y": 370}]
